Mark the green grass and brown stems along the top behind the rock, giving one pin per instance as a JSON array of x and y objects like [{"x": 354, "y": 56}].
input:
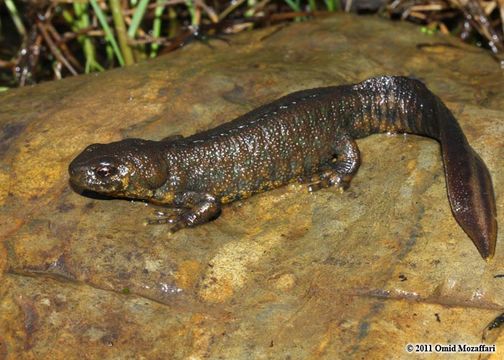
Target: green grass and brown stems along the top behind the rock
[{"x": 61, "y": 38}]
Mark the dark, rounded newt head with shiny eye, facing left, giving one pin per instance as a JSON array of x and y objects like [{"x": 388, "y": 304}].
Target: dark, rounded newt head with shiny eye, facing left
[{"x": 128, "y": 168}]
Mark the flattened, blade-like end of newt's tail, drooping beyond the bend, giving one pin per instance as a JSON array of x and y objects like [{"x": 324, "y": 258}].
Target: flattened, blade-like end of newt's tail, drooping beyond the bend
[{"x": 469, "y": 187}]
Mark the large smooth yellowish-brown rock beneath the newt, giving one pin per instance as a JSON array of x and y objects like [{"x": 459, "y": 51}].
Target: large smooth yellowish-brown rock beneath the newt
[{"x": 282, "y": 275}]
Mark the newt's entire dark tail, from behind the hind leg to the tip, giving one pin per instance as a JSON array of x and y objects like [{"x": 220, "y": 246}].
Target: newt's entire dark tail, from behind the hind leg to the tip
[{"x": 468, "y": 181}]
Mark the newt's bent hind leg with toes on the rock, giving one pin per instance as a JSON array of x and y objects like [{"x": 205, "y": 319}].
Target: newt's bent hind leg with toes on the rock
[{"x": 340, "y": 171}]
